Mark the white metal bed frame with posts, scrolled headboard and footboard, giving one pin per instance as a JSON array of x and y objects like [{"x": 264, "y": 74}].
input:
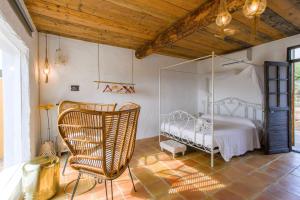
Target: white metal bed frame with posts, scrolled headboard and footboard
[{"x": 230, "y": 106}]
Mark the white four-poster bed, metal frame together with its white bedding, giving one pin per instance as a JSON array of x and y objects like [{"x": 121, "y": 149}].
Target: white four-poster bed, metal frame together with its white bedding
[{"x": 230, "y": 126}]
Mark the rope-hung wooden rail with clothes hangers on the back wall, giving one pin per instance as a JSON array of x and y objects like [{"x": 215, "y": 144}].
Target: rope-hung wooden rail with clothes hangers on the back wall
[{"x": 116, "y": 87}]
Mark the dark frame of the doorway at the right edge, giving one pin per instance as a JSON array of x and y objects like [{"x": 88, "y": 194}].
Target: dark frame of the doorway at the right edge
[{"x": 292, "y": 100}]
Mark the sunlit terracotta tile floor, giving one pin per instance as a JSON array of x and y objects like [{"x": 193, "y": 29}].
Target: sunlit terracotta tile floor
[{"x": 158, "y": 176}]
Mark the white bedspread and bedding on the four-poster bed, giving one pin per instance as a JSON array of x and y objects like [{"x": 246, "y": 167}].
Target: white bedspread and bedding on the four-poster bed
[{"x": 233, "y": 136}]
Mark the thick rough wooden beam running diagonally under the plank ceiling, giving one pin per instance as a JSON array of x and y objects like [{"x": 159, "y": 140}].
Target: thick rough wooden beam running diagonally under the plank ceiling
[{"x": 204, "y": 15}]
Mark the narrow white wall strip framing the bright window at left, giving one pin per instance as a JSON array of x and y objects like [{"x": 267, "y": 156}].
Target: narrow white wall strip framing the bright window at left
[{"x": 31, "y": 43}]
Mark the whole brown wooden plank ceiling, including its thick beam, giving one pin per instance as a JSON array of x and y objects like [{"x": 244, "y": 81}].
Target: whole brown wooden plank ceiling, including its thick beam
[{"x": 163, "y": 26}]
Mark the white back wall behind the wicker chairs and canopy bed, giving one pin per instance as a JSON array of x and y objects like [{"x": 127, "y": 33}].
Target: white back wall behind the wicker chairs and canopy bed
[{"x": 81, "y": 69}]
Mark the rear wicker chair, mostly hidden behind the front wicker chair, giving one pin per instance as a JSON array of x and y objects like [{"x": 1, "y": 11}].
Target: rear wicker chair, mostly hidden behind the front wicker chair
[{"x": 64, "y": 105}]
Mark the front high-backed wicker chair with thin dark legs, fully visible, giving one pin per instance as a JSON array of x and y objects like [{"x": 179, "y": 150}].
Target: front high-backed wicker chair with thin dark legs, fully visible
[{"x": 101, "y": 143}]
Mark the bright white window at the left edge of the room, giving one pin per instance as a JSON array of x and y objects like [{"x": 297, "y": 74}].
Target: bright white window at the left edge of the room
[{"x": 15, "y": 57}]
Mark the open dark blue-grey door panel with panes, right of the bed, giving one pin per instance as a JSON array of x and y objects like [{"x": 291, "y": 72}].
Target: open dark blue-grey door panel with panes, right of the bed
[{"x": 277, "y": 107}]
